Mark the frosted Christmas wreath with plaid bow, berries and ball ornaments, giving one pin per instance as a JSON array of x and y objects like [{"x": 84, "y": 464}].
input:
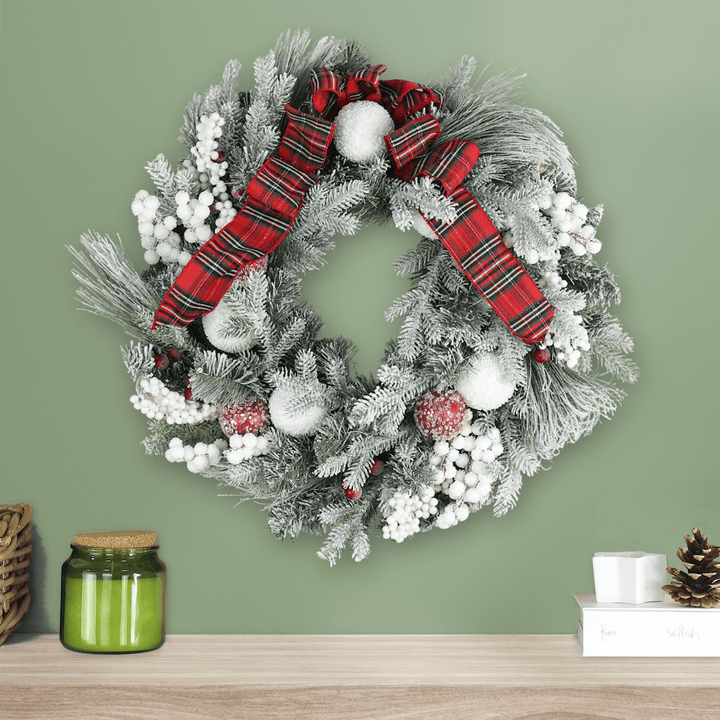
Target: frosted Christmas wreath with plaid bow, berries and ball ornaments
[{"x": 507, "y": 346}]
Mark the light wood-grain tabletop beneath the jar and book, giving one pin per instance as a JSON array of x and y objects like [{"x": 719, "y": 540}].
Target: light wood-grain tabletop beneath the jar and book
[{"x": 369, "y": 677}]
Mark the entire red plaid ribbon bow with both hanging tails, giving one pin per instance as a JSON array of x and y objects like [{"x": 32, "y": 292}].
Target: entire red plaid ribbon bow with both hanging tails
[{"x": 276, "y": 194}]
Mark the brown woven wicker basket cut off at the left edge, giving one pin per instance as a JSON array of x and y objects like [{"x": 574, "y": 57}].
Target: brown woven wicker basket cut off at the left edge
[{"x": 15, "y": 549}]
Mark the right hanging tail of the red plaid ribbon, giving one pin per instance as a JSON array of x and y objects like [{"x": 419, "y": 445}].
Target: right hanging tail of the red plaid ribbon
[{"x": 479, "y": 251}]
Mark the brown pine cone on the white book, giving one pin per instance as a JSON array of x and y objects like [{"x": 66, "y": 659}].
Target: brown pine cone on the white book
[{"x": 700, "y": 585}]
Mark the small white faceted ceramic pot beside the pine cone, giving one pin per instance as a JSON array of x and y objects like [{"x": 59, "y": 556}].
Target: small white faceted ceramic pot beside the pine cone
[{"x": 629, "y": 577}]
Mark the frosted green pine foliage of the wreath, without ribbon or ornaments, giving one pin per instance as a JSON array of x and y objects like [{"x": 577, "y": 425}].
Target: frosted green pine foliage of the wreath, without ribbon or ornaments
[{"x": 301, "y": 479}]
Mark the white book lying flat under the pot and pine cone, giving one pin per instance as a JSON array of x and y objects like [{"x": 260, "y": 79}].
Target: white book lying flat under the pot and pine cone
[{"x": 654, "y": 629}]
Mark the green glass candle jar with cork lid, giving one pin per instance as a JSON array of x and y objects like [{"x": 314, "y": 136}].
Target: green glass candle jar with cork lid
[{"x": 113, "y": 597}]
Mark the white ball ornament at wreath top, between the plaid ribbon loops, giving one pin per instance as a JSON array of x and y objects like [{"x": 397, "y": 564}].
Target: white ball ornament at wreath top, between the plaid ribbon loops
[{"x": 359, "y": 130}]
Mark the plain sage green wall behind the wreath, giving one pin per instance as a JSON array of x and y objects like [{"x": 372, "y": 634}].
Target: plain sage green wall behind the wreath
[{"x": 91, "y": 91}]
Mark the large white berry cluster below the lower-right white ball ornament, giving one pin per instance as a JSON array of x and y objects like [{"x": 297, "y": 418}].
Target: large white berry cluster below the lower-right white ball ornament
[{"x": 463, "y": 471}]
